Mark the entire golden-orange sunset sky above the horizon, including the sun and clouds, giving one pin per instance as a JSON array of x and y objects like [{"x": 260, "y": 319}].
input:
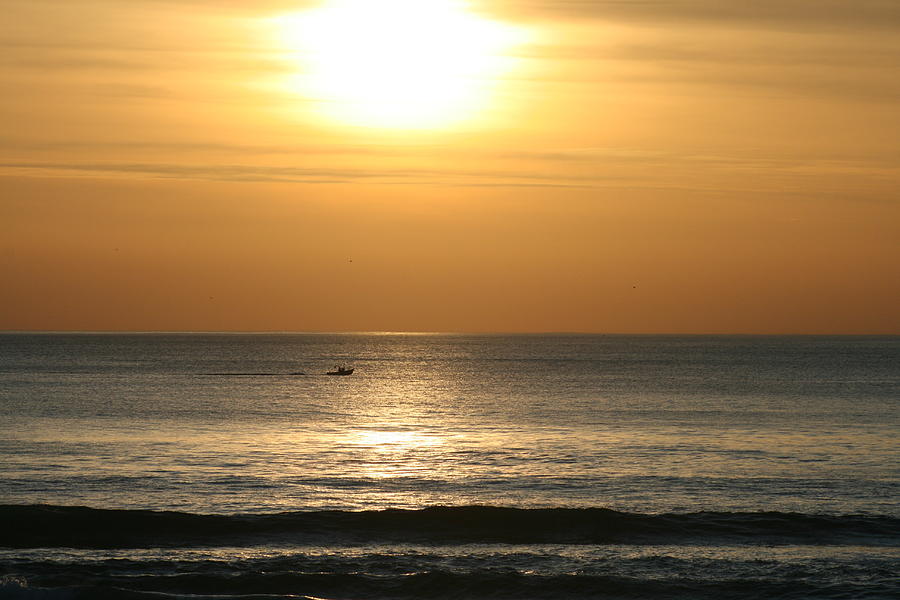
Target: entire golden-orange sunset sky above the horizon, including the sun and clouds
[{"x": 705, "y": 166}]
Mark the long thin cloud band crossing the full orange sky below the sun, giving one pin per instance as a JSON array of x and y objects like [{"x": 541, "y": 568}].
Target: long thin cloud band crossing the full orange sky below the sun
[{"x": 597, "y": 168}]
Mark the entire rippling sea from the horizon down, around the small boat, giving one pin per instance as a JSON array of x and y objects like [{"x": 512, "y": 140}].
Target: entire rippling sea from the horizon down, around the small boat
[{"x": 449, "y": 466}]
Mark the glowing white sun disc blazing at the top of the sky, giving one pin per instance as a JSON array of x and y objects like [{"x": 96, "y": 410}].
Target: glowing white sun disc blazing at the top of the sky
[{"x": 397, "y": 63}]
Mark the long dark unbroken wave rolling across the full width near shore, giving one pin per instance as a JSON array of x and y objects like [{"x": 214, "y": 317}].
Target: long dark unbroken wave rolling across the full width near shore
[{"x": 33, "y": 526}]
